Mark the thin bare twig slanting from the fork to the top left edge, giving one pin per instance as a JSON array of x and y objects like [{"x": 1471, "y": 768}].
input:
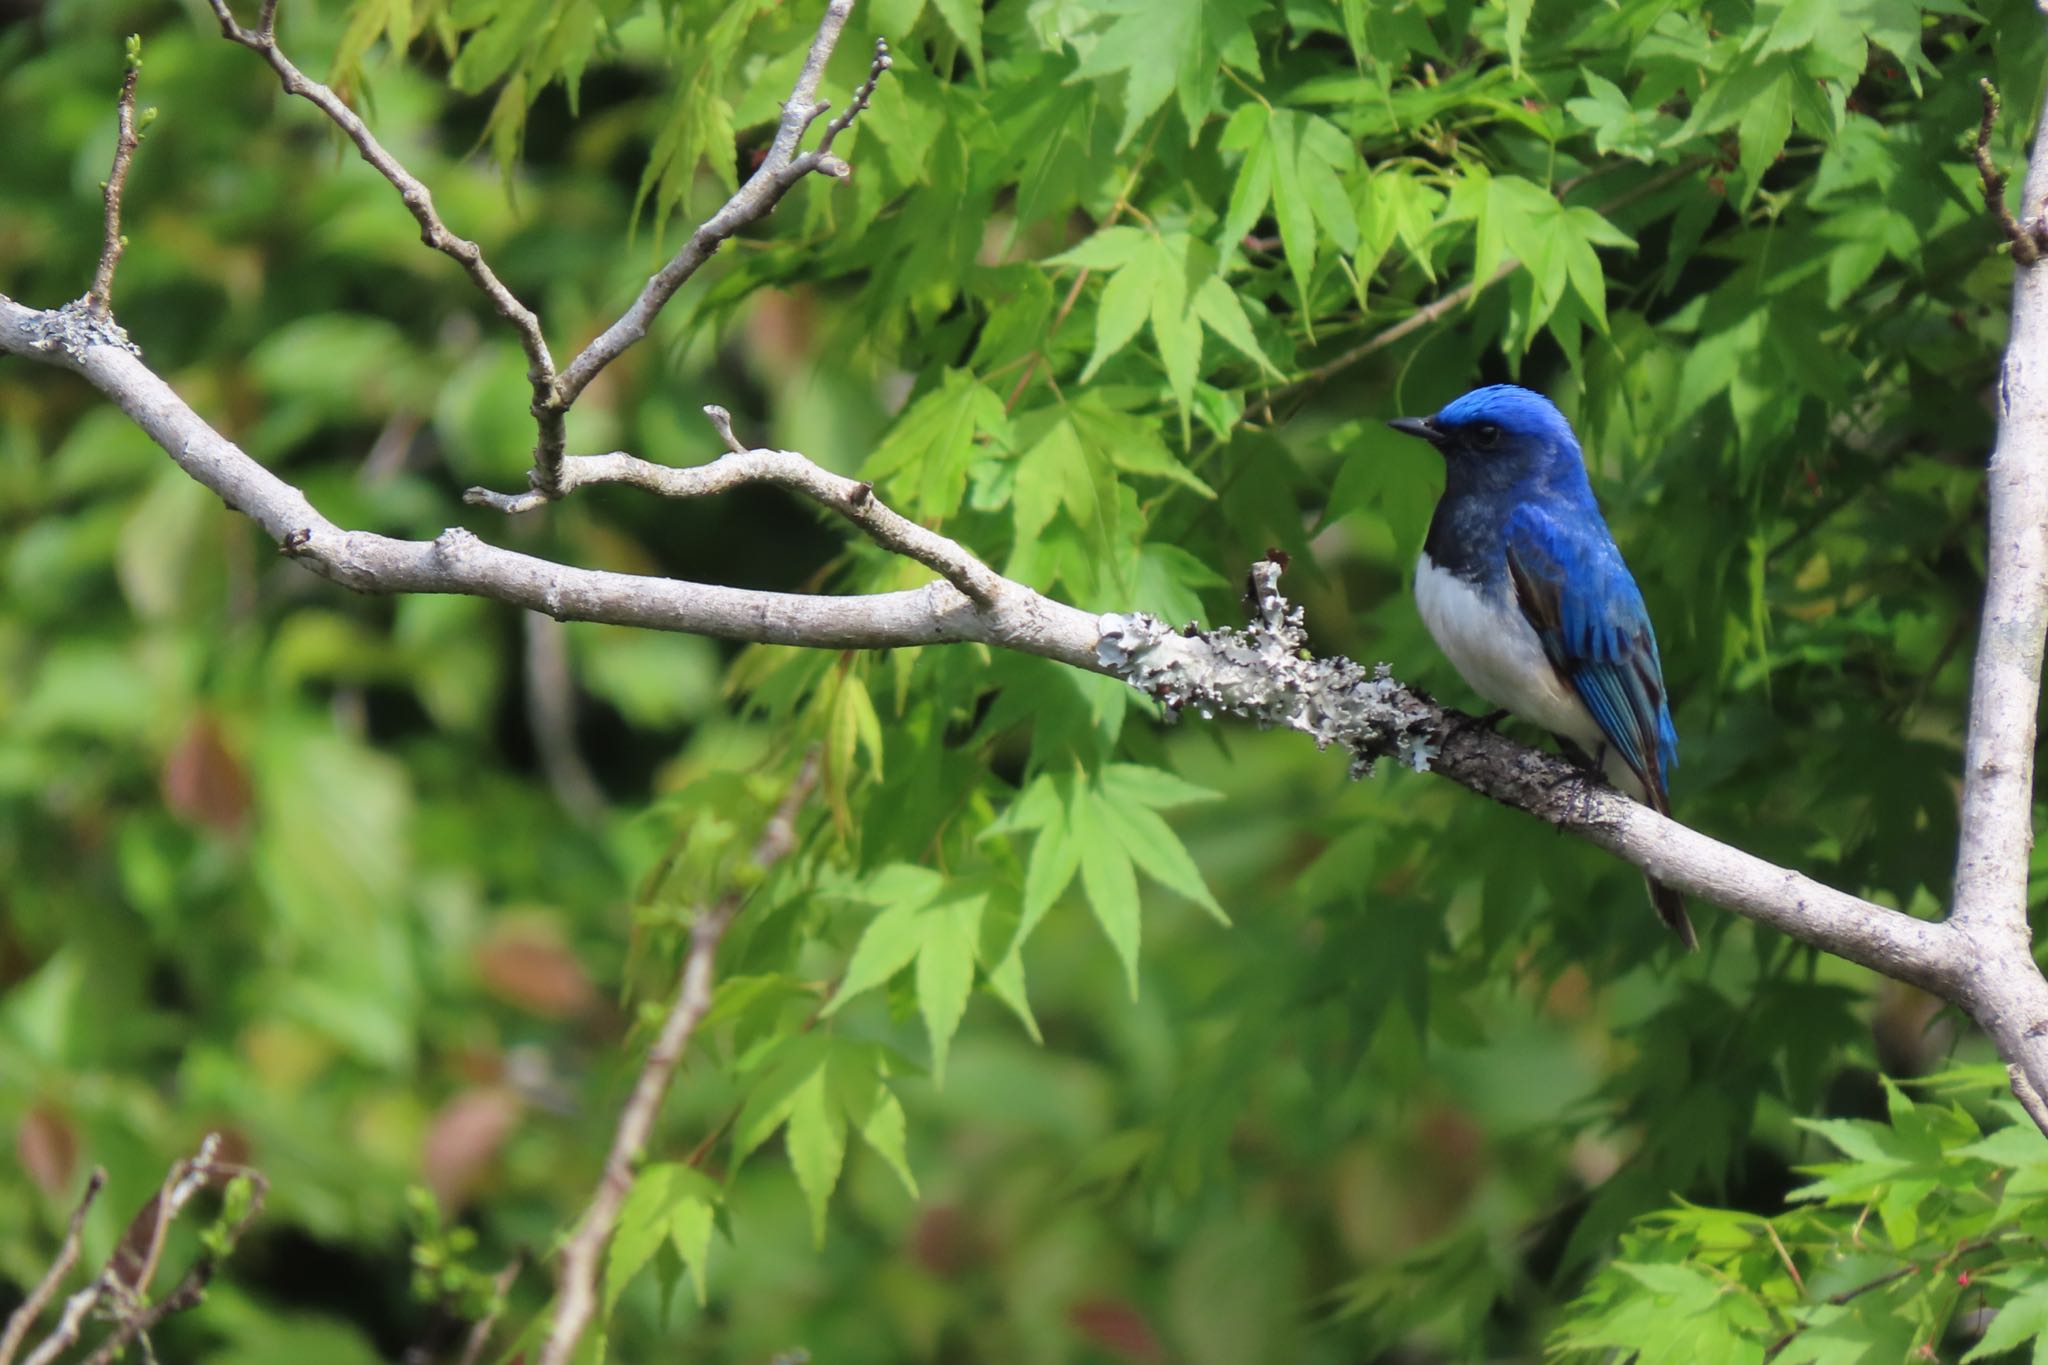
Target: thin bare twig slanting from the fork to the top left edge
[{"x": 421, "y": 204}]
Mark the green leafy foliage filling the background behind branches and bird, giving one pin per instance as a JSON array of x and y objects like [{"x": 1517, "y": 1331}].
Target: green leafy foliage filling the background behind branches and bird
[{"x": 1066, "y": 1037}]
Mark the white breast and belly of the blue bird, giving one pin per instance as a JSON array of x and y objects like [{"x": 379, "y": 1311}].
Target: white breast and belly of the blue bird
[{"x": 1498, "y": 654}]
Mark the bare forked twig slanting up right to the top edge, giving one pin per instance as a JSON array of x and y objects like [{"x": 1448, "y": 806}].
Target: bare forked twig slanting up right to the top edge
[{"x": 755, "y": 200}]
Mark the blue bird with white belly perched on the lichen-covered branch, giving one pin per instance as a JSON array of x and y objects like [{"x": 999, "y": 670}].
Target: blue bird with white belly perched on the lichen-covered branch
[{"x": 1529, "y": 599}]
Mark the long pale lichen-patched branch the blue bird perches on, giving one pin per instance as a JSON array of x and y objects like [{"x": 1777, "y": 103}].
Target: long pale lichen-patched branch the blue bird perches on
[{"x": 1256, "y": 676}]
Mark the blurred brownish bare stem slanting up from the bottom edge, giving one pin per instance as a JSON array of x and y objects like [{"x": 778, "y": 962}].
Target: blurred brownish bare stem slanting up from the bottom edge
[{"x": 579, "y": 1296}]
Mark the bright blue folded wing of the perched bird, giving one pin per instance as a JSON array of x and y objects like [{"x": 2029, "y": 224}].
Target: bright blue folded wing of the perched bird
[{"x": 1588, "y": 613}]
